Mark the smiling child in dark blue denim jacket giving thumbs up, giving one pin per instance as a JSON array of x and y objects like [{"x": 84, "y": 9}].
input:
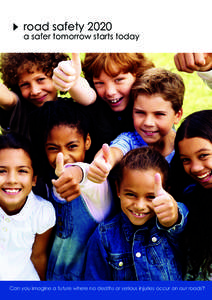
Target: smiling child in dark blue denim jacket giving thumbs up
[{"x": 141, "y": 242}]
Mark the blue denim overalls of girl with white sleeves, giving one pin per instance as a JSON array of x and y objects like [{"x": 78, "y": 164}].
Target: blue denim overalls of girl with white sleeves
[{"x": 73, "y": 228}]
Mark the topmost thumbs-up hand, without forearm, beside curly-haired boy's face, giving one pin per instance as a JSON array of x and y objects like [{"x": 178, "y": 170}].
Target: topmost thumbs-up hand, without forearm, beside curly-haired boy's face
[{"x": 67, "y": 73}]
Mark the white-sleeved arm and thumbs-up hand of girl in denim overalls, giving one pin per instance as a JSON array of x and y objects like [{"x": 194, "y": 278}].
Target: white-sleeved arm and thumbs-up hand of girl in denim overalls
[{"x": 73, "y": 181}]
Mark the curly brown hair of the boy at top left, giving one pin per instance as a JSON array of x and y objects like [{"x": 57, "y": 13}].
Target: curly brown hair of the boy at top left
[{"x": 13, "y": 64}]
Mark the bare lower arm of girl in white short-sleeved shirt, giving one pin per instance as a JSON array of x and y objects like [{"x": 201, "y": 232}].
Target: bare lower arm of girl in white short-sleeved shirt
[{"x": 39, "y": 256}]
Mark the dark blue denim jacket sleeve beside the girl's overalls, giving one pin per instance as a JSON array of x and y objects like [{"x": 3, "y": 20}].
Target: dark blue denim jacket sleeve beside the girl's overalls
[{"x": 96, "y": 266}]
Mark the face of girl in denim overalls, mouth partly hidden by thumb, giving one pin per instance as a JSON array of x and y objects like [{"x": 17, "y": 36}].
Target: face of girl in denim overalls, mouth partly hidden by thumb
[{"x": 69, "y": 141}]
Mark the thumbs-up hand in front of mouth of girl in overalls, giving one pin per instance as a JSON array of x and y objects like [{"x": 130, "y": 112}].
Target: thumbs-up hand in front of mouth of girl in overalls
[{"x": 67, "y": 185}]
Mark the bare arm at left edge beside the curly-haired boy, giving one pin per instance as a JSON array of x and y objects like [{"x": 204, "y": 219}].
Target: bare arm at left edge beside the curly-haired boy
[{"x": 8, "y": 99}]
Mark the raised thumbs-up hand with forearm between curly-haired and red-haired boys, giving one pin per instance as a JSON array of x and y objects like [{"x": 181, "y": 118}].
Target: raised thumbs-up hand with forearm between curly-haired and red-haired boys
[{"x": 67, "y": 77}]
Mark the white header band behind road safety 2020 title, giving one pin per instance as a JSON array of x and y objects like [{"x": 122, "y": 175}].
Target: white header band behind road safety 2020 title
[{"x": 162, "y": 26}]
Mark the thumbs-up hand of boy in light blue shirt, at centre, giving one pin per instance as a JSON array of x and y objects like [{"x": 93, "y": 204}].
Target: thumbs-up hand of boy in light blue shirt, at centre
[{"x": 101, "y": 165}]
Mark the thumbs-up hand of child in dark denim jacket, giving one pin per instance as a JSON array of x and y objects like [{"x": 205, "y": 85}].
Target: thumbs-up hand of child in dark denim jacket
[{"x": 164, "y": 205}]
